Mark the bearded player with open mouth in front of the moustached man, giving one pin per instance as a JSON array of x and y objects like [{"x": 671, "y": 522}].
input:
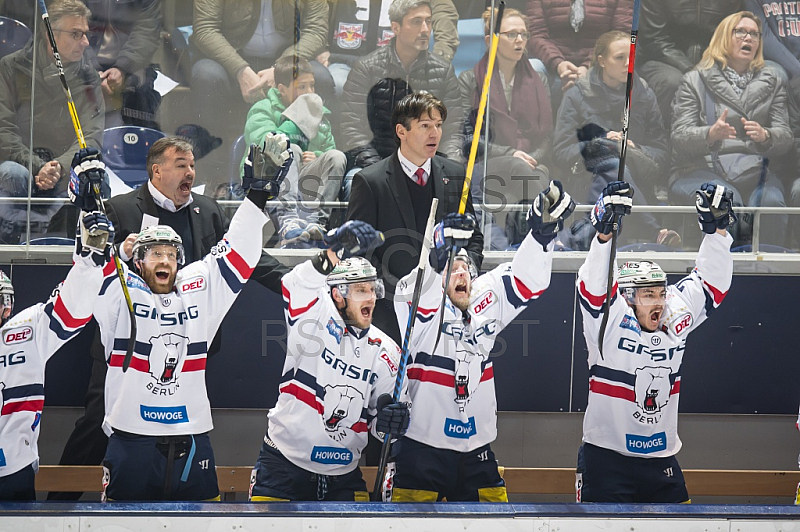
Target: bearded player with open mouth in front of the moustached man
[{"x": 157, "y": 413}]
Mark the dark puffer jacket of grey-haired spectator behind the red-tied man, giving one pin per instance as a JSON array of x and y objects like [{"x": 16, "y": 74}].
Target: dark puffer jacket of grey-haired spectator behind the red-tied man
[{"x": 429, "y": 72}]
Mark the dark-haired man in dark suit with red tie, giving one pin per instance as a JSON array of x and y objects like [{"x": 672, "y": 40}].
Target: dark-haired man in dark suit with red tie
[{"x": 395, "y": 195}]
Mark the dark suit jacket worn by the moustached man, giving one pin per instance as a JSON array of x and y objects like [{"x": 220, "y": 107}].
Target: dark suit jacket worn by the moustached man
[{"x": 208, "y": 222}]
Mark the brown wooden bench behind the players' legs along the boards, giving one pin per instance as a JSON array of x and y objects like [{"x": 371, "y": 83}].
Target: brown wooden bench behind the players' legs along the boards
[{"x": 551, "y": 481}]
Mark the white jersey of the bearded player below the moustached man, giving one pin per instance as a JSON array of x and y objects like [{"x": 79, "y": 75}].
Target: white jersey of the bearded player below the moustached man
[{"x": 164, "y": 390}]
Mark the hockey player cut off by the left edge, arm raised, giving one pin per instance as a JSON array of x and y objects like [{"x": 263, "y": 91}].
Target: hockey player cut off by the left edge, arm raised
[{"x": 29, "y": 339}]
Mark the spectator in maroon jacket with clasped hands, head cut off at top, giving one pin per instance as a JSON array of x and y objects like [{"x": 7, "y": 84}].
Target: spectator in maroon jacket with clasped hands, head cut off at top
[{"x": 563, "y": 34}]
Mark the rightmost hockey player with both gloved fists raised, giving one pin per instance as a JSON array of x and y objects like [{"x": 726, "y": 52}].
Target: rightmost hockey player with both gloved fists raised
[{"x": 630, "y": 429}]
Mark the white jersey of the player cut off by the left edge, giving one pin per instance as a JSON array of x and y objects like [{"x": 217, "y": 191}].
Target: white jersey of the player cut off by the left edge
[{"x": 29, "y": 339}]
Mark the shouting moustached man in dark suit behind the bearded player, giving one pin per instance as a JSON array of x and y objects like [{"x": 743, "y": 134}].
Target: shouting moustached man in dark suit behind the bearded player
[{"x": 167, "y": 199}]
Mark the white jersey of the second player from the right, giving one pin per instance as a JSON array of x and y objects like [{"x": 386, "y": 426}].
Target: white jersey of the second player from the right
[{"x": 452, "y": 388}]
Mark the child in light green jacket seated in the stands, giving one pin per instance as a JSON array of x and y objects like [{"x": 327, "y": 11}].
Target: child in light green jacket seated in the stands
[{"x": 293, "y": 108}]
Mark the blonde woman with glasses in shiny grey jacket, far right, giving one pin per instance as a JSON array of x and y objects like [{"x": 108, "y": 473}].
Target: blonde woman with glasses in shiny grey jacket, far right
[{"x": 730, "y": 116}]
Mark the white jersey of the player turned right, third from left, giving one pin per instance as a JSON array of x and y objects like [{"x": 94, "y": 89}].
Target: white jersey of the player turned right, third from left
[{"x": 332, "y": 378}]
